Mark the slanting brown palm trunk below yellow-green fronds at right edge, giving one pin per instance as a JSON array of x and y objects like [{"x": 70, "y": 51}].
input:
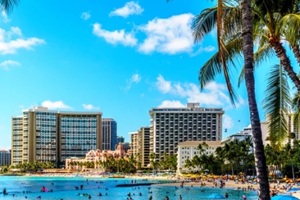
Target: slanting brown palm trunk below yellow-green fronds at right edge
[{"x": 284, "y": 60}]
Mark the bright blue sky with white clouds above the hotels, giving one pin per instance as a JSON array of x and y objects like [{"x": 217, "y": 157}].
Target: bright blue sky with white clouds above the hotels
[{"x": 121, "y": 58}]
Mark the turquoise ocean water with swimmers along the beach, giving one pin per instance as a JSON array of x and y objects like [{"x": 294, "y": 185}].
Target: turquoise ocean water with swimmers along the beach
[{"x": 22, "y": 187}]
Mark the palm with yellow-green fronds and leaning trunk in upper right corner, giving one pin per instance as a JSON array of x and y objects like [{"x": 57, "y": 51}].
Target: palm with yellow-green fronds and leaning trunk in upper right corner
[{"x": 276, "y": 18}]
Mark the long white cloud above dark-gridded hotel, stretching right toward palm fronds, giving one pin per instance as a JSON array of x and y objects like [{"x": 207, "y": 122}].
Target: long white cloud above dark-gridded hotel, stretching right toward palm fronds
[{"x": 214, "y": 94}]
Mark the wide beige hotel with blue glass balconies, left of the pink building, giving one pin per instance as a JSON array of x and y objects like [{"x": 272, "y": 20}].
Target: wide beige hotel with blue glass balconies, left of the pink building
[{"x": 41, "y": 135}]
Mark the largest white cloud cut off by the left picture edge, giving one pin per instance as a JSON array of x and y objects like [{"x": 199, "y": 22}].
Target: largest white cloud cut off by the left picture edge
[{"x": 12, "y": 40}]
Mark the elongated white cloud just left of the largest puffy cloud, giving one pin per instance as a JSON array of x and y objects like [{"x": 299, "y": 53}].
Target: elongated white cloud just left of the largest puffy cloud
[{"x": 115, "y": 37}]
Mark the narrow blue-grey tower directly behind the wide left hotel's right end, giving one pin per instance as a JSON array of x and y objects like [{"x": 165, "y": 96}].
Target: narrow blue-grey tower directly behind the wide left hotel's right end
[{"x": 109, "y": 134}]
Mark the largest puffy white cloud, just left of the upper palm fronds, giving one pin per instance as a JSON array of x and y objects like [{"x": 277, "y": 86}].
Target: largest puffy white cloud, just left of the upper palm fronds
[{"x": 172, "y": 35}]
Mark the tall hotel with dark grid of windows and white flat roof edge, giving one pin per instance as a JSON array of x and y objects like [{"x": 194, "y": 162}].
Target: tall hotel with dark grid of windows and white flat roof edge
[{"x": 169, "y": 126}]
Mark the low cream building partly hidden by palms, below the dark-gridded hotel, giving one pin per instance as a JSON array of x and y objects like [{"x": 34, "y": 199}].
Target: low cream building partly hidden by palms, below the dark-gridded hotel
[{"x": 189, "y": 149}]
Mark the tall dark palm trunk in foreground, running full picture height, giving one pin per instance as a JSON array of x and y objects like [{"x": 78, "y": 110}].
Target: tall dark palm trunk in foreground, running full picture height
[{"x": 260, "y": 160}]
